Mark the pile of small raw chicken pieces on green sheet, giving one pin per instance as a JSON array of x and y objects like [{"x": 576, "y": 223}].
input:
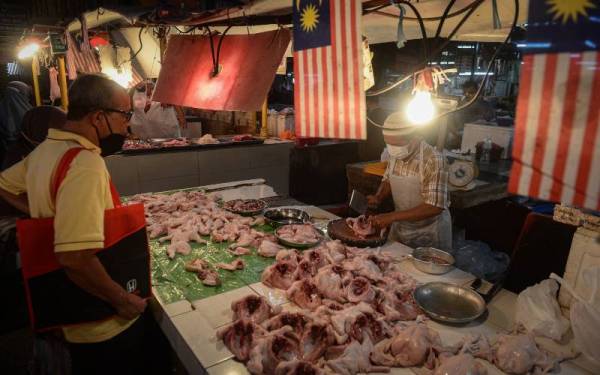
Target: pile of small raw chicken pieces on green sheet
[{"x": 185, "y": 217}]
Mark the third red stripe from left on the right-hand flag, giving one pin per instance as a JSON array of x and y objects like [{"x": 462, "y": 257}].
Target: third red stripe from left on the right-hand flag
[{"x": 565, "y": 136}]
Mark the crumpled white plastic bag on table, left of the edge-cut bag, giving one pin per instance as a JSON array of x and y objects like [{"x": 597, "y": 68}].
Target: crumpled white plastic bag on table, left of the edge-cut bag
[{"x": 538, "y": 311}]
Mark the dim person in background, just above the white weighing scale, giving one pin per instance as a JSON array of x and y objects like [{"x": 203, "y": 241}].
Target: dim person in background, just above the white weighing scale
[{"x": 476, "y": 111}]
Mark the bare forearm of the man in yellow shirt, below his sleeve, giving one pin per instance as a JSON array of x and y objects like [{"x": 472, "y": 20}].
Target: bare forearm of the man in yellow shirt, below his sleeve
[{"x": 86, "y": 271}]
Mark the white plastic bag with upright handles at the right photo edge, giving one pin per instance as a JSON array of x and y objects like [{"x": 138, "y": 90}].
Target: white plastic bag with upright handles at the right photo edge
[{"x": 585, "y": 315}]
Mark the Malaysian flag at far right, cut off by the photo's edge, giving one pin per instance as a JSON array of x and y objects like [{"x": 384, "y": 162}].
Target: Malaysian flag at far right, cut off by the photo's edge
[{"x": 557, "y": 143}]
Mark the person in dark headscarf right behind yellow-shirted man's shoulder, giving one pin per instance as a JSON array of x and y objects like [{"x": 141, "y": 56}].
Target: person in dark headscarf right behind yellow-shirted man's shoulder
[{"x": 34, "y": 130}]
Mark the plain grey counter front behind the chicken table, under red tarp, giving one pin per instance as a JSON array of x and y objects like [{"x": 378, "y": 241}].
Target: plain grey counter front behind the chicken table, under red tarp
[{"x": 177, "y": 168}]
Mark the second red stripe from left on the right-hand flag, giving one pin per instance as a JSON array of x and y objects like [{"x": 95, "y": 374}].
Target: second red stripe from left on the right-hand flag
[{"x": 543, "y": 122}]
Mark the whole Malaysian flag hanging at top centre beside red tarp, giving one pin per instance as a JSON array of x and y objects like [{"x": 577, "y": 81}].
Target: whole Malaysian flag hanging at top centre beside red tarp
[{"x": 328, "y": 71}]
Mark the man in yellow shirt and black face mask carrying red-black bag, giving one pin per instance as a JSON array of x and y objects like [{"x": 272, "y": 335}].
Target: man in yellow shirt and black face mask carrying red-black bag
[{"x": 97, "y": 121}]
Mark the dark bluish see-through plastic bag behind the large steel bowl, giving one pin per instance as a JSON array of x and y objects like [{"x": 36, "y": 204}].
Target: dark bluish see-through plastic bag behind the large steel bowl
[{"x": 479, "y": 259}]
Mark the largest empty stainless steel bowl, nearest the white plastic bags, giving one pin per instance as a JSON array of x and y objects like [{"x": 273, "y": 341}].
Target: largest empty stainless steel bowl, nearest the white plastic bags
[{"x": 449, "y": 303}]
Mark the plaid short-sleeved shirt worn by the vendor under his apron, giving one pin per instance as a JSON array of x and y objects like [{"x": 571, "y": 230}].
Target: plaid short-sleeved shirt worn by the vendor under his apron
[{"x": 434, "y": 181}]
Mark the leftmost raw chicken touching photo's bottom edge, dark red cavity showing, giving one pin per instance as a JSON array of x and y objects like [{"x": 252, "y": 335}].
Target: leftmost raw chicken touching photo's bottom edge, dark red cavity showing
[{"x": 273, "y": 348}]
